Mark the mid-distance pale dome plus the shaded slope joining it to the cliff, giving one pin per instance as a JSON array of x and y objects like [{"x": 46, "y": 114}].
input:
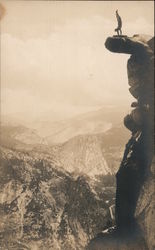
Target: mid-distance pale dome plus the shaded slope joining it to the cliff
[{"x": 93, "y": 155}]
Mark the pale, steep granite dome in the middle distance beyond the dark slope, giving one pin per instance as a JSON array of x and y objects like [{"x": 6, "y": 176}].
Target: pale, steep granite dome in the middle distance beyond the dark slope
[{"x": 83, "y": 154}]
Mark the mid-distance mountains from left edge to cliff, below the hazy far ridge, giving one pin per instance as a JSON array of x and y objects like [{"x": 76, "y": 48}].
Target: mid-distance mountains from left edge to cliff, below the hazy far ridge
[{"x": 89, "y": 154}]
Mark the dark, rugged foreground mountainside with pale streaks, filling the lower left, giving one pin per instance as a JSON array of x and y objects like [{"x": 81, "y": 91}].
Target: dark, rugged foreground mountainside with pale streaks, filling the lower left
[{"x": 44, "y": 207}]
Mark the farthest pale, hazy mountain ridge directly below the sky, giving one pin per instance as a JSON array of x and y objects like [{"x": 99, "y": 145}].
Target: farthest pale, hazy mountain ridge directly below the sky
[{"x": 55, "y": 132}]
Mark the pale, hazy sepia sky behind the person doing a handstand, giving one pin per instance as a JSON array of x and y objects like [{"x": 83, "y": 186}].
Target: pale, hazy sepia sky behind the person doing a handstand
[{"x": 53, "y": 58}]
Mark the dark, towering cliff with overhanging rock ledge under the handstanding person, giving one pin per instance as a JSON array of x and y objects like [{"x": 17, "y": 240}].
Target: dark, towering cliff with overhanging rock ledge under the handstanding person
[{"x": 134, "y": 192}]
